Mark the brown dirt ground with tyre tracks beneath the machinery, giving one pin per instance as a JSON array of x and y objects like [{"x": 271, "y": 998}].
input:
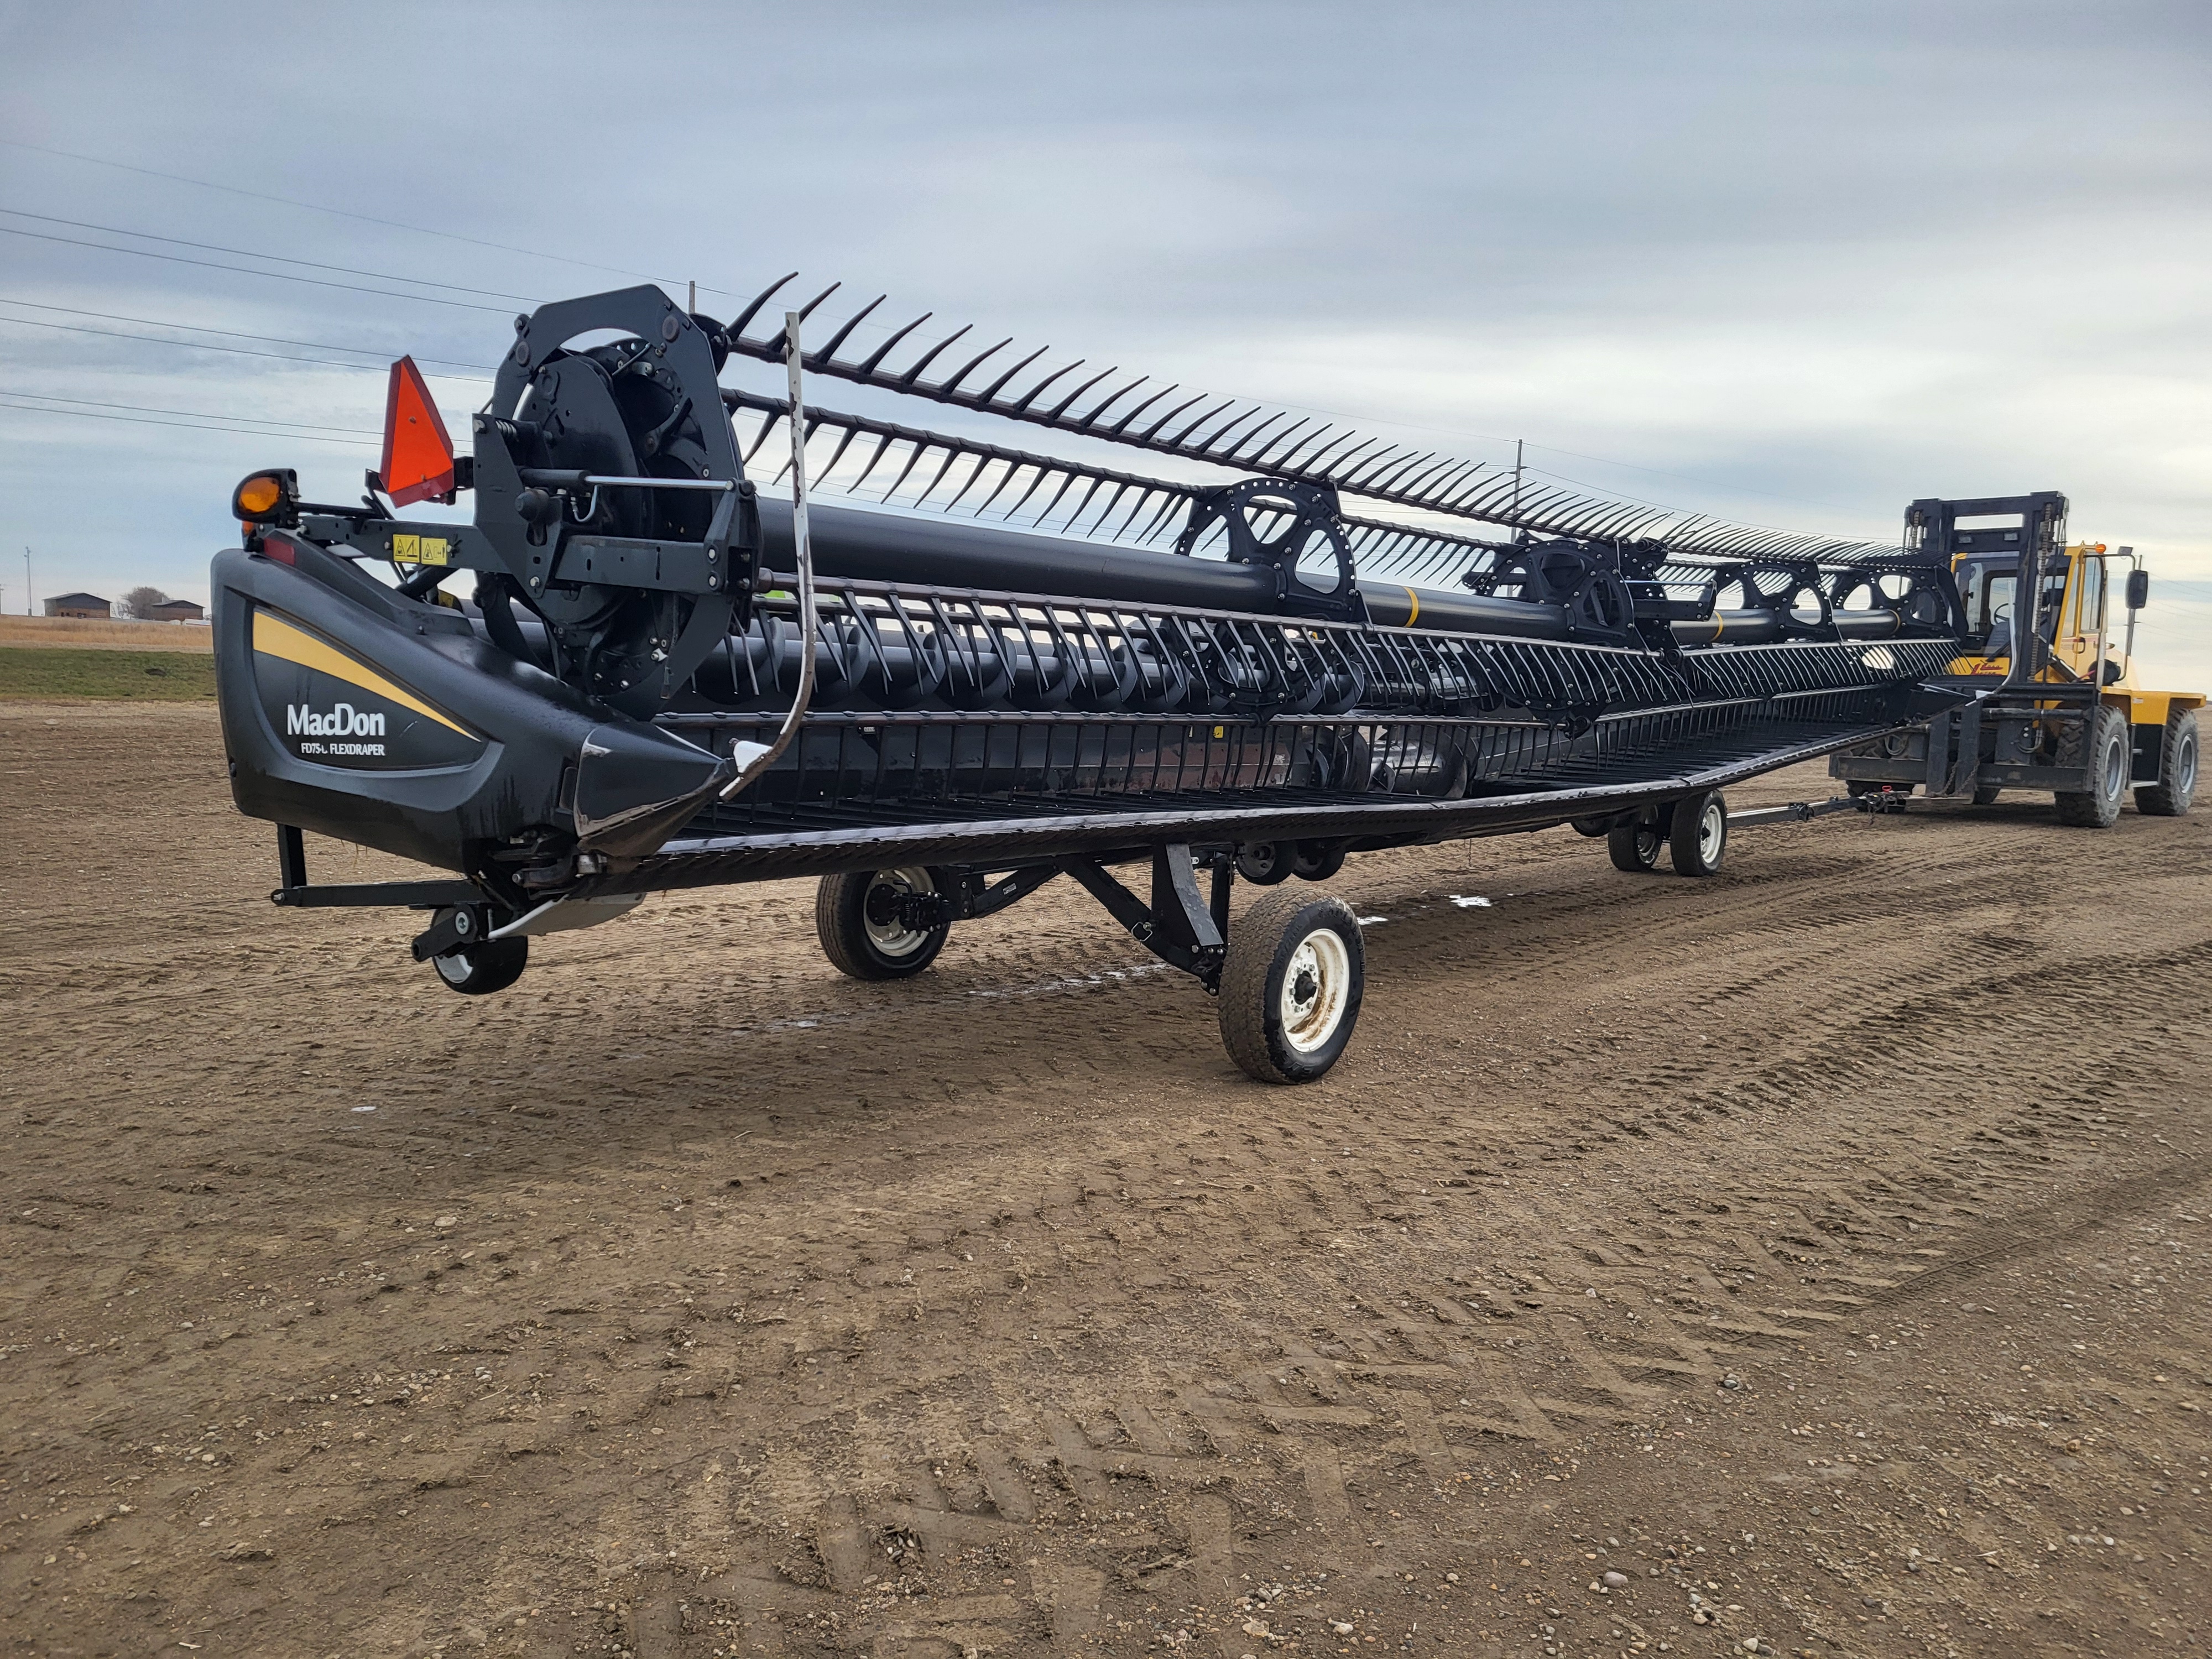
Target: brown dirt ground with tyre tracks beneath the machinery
[{"x": 1802, "y": 1262}]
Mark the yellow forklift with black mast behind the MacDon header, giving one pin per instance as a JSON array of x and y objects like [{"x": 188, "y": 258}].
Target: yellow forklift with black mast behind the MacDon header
[{"x": 2054, "y": 709}]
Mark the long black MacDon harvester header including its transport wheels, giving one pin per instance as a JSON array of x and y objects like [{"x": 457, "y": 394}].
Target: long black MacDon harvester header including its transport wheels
[{"x": 1016, "y": 667}]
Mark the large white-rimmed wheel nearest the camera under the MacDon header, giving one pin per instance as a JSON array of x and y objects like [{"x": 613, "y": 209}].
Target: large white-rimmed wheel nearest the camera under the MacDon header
[{"x": 1291, "y": 988}]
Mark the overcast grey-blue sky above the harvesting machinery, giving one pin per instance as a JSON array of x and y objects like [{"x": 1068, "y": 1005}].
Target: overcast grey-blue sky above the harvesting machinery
[{"x": 1771, "y": 262}]
